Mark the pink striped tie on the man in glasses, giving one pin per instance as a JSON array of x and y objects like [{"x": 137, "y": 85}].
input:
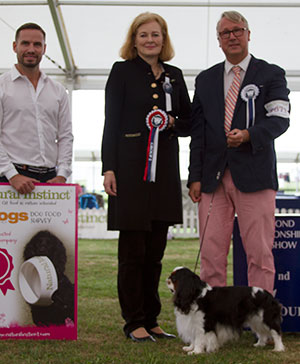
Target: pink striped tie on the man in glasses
[{"x": 231, "y": 98}]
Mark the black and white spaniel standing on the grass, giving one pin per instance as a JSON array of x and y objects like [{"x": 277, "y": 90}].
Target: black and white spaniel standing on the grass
[{"x": 207, "y": 317}]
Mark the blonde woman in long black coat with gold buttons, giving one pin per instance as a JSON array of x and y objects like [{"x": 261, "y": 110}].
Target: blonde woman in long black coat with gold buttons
[{"x": 144, "y": 96}]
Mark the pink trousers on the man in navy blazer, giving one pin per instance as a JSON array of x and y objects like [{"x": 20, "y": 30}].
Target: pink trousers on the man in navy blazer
[{"x": 256, "y": 218}]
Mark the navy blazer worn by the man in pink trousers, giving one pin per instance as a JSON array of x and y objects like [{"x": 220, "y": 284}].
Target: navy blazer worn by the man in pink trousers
[{"x": 252, "y": 164}]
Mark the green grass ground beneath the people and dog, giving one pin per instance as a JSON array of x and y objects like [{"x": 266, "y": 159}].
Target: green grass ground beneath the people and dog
[{"x": 100, "y": 336}]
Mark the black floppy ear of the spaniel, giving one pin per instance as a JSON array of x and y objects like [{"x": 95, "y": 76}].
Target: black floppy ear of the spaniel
[{"x": 187, "y": 290}]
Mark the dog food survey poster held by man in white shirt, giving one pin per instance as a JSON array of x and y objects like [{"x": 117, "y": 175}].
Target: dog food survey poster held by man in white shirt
[{"x": 38, "y": 262}]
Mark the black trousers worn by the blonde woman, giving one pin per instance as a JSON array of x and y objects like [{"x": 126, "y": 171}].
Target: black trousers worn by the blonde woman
[{"x": 140, "y": 255}]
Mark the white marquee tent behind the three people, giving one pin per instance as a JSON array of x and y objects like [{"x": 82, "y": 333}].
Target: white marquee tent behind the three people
[{"x": 84, "y": 38}]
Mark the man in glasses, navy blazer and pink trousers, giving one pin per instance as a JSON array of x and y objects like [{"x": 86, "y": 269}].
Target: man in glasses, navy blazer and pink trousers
[{"x": 233, "y": 167}]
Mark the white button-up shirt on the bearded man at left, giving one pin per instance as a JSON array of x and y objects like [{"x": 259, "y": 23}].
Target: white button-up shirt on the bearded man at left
[{"x": 35, "y": 124}]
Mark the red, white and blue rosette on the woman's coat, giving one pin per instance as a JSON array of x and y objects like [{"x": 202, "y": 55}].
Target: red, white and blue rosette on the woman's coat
[{"x": 156, "y": 120}]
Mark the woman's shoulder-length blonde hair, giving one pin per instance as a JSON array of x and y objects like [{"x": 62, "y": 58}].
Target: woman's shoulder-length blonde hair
[{"x": 128, "y": 50}]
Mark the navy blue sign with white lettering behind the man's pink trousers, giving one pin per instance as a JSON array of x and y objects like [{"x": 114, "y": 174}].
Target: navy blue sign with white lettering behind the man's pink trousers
[{"x": 286, "y": 251}]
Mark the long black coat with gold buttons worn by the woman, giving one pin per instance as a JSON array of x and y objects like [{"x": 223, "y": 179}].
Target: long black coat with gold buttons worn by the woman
[{"x": 131, "y": 93}]
